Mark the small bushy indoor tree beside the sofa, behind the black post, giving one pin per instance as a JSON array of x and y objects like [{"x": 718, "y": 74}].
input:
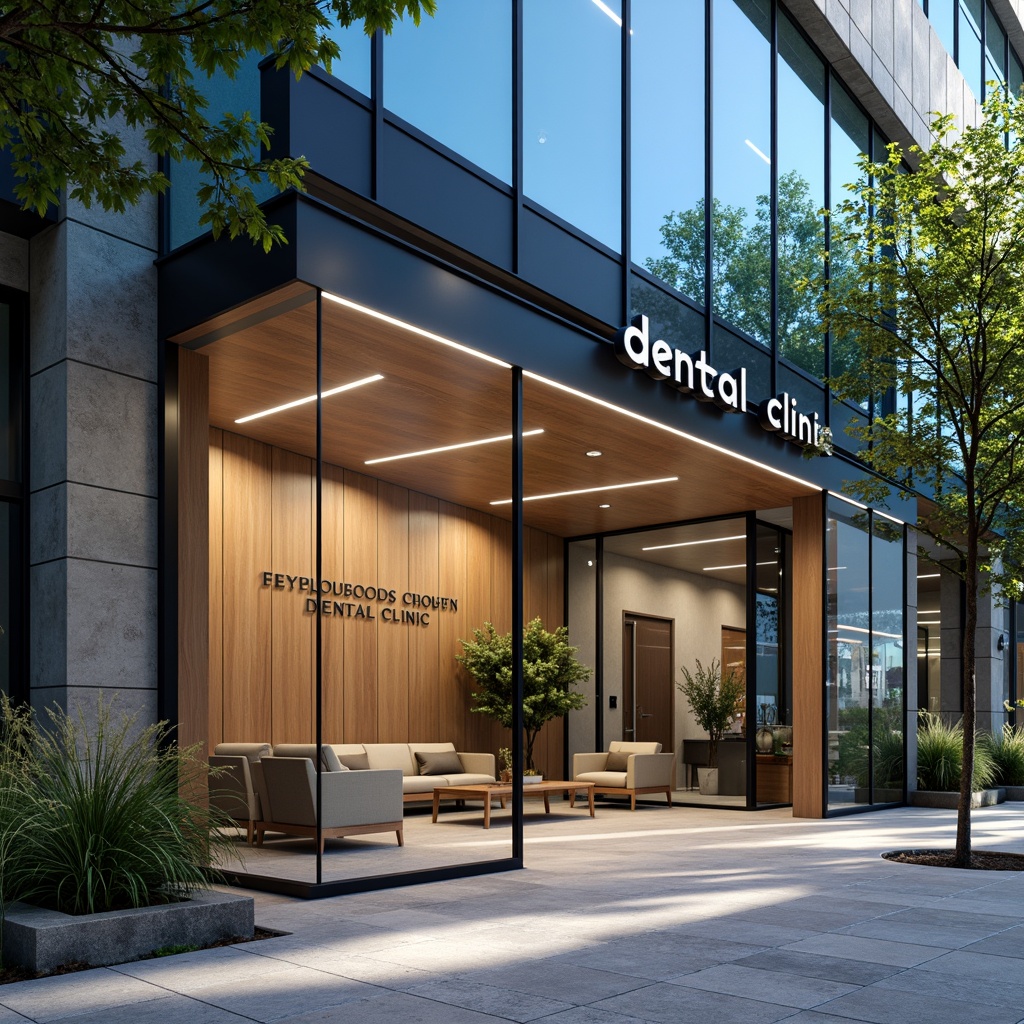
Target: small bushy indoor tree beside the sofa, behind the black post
[{"x": 550, "y": 670}]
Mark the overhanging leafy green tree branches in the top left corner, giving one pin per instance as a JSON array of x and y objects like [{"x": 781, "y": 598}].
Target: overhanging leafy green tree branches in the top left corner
[{"x": 75, "y": 76}]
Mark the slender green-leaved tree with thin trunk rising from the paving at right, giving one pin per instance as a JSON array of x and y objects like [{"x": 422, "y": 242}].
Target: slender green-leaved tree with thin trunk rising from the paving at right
[{"x": 936, "y": 301}]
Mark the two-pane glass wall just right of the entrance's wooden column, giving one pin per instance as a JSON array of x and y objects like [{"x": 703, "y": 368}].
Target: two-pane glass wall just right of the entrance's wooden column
[{"x": 865, "y": 696}]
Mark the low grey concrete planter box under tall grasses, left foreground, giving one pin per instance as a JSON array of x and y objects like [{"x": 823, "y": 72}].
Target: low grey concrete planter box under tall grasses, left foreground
[{"x": 42, "y": 941}]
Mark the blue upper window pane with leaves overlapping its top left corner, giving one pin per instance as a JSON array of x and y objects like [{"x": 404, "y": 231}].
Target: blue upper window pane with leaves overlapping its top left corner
[{"x": 452, "y": 77}]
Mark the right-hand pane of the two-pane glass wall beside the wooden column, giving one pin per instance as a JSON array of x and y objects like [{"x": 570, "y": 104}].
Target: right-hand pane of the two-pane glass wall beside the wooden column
[{"x": 887, "y": 666}]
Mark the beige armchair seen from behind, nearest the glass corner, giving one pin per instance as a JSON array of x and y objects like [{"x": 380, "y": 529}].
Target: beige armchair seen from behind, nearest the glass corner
[{"x": 353, "y": 803}]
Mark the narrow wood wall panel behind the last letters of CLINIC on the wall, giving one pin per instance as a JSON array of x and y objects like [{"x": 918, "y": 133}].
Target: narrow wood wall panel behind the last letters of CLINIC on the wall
[{"x": 424, "y": 661}]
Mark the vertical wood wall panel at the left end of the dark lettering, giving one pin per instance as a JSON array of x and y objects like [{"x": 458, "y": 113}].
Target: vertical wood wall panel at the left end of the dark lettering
[{"x": 247, "y": 552}]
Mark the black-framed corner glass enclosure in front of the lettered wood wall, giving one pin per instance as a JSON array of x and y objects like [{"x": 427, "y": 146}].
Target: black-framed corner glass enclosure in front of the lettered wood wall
[{"x": 354, "y": 545}]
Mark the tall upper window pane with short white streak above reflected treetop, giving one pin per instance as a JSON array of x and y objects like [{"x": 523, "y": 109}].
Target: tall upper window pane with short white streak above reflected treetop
[{"x": 742, "y": 212}]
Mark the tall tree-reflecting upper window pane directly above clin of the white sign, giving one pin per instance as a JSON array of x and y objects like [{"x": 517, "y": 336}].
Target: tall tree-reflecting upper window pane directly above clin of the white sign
[{"x": 801, "y": 196}]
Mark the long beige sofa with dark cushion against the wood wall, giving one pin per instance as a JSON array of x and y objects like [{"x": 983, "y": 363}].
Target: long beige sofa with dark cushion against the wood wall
[{"x": 424, "y": 766}]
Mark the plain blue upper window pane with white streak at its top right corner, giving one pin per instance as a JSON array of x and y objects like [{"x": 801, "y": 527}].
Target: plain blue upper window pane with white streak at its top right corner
[{"x": 572, "y": 113}]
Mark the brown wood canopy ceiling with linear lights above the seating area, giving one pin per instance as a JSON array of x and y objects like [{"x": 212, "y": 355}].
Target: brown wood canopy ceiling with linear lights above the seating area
[{"x": 434, "y": 395}]
